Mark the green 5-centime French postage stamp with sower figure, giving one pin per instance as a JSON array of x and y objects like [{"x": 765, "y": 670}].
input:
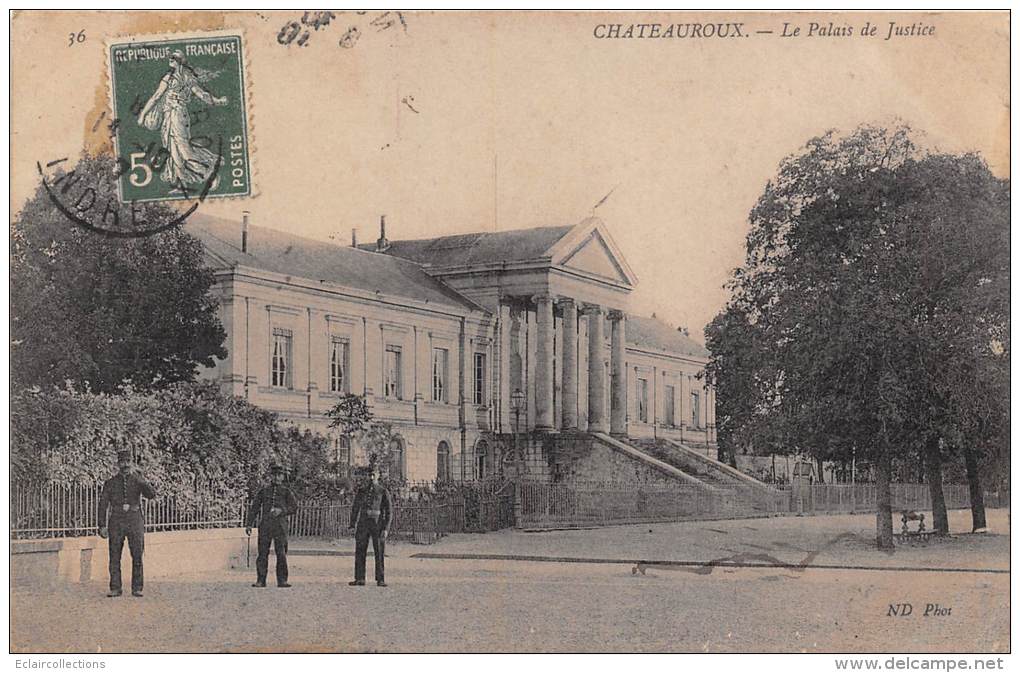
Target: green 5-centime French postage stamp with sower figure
[{"x": 181, "y": 118}]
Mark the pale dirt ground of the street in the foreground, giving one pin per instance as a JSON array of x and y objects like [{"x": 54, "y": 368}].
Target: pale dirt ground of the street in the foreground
[{"x": 474, "y": 605}]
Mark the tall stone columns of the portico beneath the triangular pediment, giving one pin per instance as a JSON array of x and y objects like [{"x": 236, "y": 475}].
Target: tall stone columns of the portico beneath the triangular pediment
[{"x": 564, "y": 372}]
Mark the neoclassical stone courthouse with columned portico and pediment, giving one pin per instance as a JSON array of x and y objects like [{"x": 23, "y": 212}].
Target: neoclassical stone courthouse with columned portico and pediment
[{"x": 440, "y": 334}]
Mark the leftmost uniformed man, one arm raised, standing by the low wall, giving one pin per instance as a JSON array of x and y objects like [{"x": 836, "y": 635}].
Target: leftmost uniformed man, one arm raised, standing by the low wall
[{"x": 121, "y": 517}]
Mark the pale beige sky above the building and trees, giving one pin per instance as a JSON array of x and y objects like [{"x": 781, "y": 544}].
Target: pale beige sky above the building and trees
[{"x": 455, "y": 123}]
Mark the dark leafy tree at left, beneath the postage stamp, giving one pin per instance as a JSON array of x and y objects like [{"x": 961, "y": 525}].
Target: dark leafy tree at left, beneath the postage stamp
[{"x": 97, "y": 310}]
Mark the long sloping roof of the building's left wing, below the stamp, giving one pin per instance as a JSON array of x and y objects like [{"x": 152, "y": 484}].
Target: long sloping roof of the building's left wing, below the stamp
[{"x": 284, "y": 253}]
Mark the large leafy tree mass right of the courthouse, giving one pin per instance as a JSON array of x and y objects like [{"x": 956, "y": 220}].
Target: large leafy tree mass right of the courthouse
[{"x": 872, "y": 270}]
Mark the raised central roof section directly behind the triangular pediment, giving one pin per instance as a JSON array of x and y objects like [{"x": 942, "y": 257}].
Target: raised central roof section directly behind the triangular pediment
[{"x": 480, "y": 248}]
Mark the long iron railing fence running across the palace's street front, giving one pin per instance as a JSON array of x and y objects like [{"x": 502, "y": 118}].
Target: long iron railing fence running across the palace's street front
[{"x": 59, "y": 510}]
